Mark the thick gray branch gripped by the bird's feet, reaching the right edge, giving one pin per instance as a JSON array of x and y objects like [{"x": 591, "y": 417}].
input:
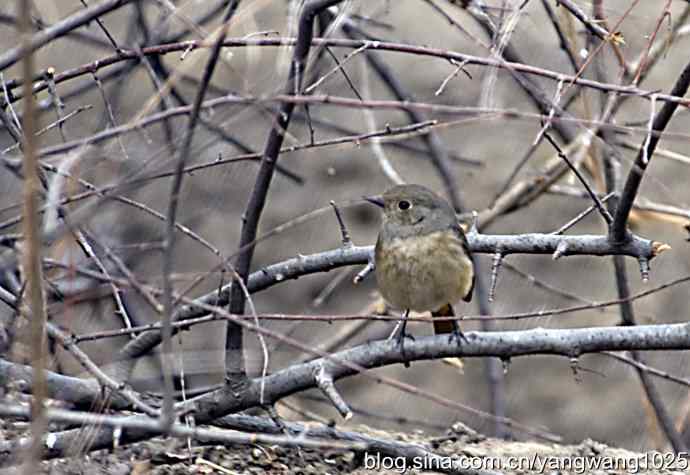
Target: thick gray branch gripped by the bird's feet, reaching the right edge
[{"x": 505, "y": 344}]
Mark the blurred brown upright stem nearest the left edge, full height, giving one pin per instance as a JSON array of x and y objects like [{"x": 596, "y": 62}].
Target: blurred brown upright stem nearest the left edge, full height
[{"x": 32, "y": 246}]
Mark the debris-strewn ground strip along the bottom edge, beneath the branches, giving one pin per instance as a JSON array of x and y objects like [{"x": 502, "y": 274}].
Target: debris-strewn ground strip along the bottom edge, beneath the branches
[{"x": 165, "y": 457}]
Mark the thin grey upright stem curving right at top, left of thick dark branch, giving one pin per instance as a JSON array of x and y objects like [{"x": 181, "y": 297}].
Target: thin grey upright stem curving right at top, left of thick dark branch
[{"x": 167, "y": 415}]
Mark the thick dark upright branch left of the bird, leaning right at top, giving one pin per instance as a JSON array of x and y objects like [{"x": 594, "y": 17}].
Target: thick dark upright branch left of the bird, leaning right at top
[{"x": 234, "y": 360}]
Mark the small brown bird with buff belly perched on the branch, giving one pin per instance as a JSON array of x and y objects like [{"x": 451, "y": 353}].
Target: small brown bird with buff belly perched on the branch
[{"x": 423, "y": 262}]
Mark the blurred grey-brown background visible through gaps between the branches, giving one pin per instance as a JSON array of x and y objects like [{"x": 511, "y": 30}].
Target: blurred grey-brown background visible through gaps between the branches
[{"x": 604, "y": 401}]
